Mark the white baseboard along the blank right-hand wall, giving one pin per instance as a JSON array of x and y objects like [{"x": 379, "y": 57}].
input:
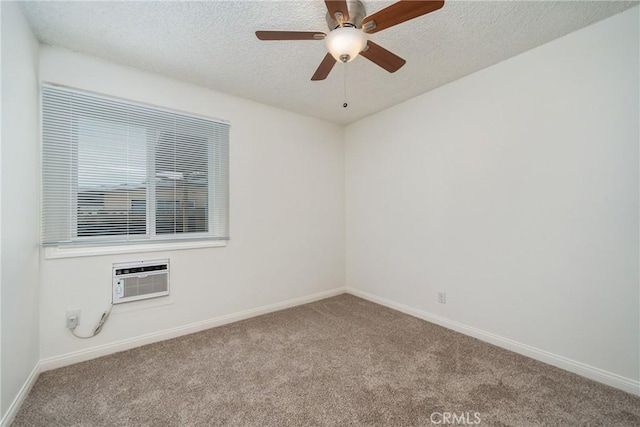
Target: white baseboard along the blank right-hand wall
[{"x": 609, "y": 378}]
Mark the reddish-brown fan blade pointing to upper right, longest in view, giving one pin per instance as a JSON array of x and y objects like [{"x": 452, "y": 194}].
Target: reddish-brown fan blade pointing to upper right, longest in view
[{"x": 398, "y": 13}]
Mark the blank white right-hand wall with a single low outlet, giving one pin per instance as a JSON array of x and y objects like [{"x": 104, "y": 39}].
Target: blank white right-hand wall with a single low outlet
[{"x": 515, "y": 190}]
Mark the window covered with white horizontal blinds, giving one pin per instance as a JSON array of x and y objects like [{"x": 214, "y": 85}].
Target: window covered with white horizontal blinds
[{"x": 119, "y": 172}]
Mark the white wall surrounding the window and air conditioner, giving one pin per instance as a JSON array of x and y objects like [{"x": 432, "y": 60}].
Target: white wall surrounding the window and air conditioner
[{"x": 286, "y": 216}]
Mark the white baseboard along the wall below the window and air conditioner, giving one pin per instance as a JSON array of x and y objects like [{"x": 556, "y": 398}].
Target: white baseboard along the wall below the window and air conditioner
[{"x": 126, "y": 344}]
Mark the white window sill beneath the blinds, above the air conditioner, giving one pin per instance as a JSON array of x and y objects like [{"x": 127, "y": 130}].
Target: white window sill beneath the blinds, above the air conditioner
[{"x": 75, "y": 252}]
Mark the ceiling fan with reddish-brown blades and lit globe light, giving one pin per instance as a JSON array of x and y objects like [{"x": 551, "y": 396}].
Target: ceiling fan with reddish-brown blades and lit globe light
[{"x": 348, "y": 29}]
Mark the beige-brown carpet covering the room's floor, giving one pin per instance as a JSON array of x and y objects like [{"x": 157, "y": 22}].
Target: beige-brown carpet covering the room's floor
[{"x": 337, "y": 362}]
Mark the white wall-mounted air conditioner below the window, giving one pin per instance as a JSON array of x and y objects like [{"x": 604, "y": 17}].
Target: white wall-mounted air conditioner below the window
[{"x": 134, "y": 281}]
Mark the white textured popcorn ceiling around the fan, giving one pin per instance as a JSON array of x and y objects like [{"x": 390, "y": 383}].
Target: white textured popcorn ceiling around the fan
[{"x": 213, "y": 44}]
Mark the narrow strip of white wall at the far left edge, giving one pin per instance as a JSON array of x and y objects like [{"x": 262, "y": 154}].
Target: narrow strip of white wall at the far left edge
[{"x": 20, "y": 205}]
